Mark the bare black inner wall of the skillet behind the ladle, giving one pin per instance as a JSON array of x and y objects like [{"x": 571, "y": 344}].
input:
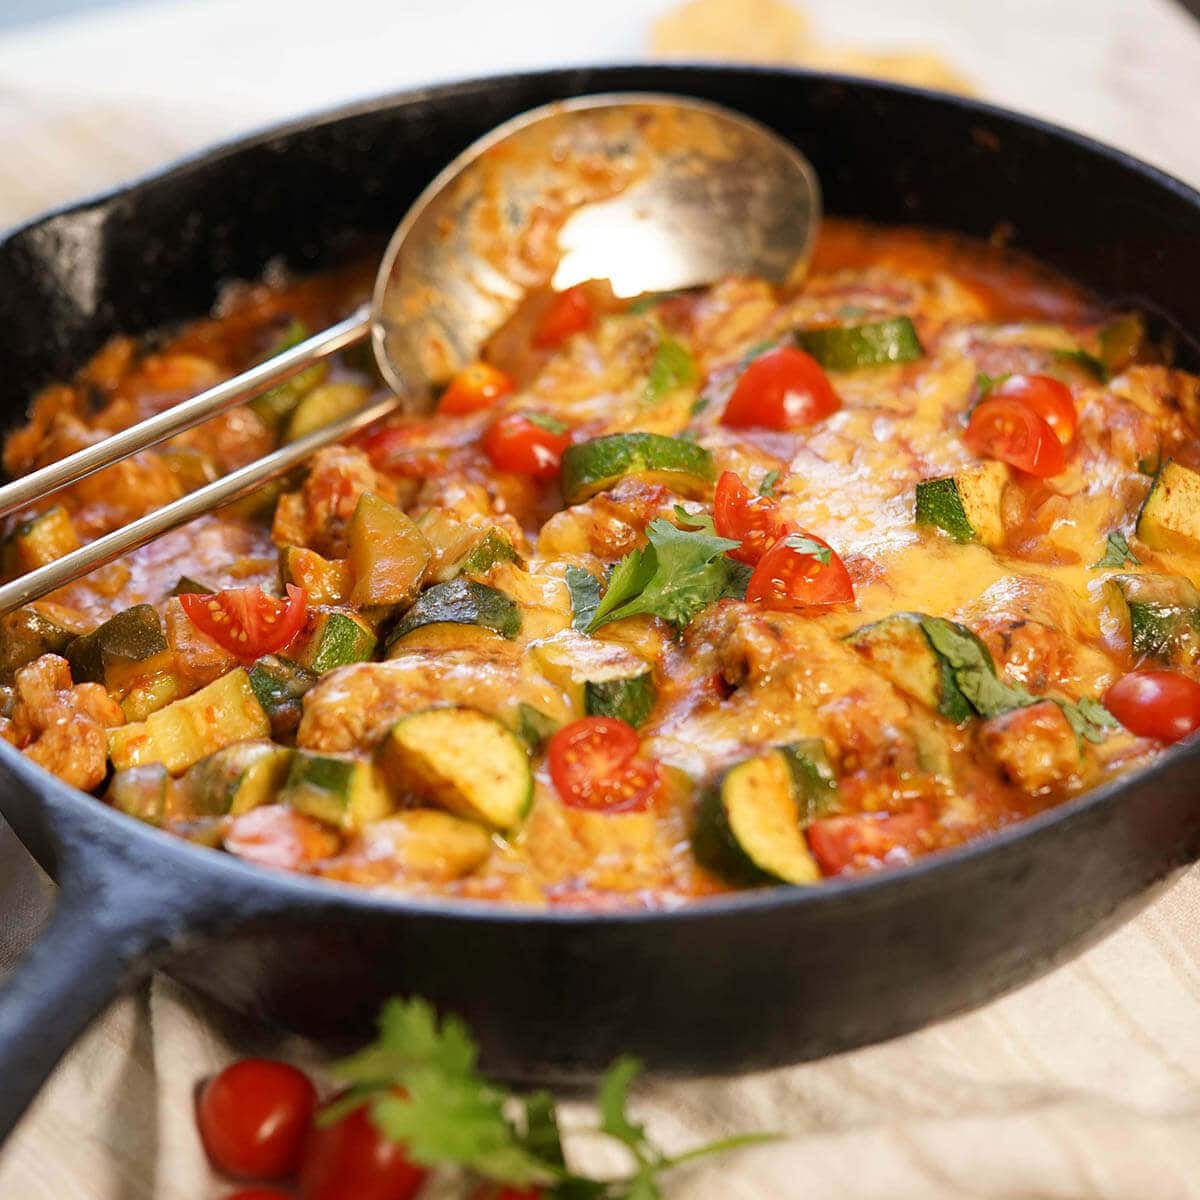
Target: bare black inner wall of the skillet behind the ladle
[{"x": 134, "y": 262}]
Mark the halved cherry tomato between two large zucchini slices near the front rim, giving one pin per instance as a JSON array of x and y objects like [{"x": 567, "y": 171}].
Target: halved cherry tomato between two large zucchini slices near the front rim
[{"x": 593, "y": 766}]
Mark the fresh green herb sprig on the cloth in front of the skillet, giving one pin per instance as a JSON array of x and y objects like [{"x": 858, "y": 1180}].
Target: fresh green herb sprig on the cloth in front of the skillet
[{"x": 424, "y": 1089}]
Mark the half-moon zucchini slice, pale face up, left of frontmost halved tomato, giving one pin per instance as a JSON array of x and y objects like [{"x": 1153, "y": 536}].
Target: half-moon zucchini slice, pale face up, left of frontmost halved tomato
[{"x": 461, "y": 761}]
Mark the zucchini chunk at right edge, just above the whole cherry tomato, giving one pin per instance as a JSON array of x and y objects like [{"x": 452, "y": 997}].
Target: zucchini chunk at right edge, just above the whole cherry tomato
[{"x": 1160, "y": 616}]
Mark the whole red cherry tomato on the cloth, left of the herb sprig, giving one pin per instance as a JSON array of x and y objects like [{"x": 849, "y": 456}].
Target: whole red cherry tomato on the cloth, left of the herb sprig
[{"x": 254, "y": 1118}]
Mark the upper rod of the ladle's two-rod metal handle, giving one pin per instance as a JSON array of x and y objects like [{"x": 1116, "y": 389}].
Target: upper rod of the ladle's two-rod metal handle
[{"x": 185, "y": 416}]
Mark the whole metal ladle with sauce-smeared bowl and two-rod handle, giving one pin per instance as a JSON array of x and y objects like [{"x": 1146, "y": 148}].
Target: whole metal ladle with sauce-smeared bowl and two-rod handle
[{"x": 651, "y": 193}]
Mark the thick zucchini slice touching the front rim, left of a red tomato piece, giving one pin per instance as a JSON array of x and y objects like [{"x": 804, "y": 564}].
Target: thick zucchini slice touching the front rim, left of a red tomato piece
[{"x": 751, "y": 827}]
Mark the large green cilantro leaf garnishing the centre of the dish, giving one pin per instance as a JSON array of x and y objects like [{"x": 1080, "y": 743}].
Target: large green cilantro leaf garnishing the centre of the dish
[{"x": 674, "y": 578}]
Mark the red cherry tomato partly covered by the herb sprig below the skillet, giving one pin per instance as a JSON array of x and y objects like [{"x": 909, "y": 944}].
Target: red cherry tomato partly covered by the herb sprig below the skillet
[{"x": 353, "y": 1161}]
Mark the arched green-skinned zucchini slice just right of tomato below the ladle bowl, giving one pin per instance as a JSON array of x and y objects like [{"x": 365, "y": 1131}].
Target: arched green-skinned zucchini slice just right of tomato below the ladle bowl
[{"x": 591, "y": 467}]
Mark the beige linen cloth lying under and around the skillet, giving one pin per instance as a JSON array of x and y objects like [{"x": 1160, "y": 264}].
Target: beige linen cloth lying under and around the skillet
[{"x": 1083, "y": 1085}]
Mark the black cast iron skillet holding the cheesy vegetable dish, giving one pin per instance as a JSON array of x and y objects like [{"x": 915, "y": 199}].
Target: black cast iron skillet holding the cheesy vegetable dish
[{"x": 730, "y": 985}]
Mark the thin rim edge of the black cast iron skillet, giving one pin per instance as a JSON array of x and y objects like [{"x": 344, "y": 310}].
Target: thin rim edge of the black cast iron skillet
[{"x": 873, "y": 889}]
